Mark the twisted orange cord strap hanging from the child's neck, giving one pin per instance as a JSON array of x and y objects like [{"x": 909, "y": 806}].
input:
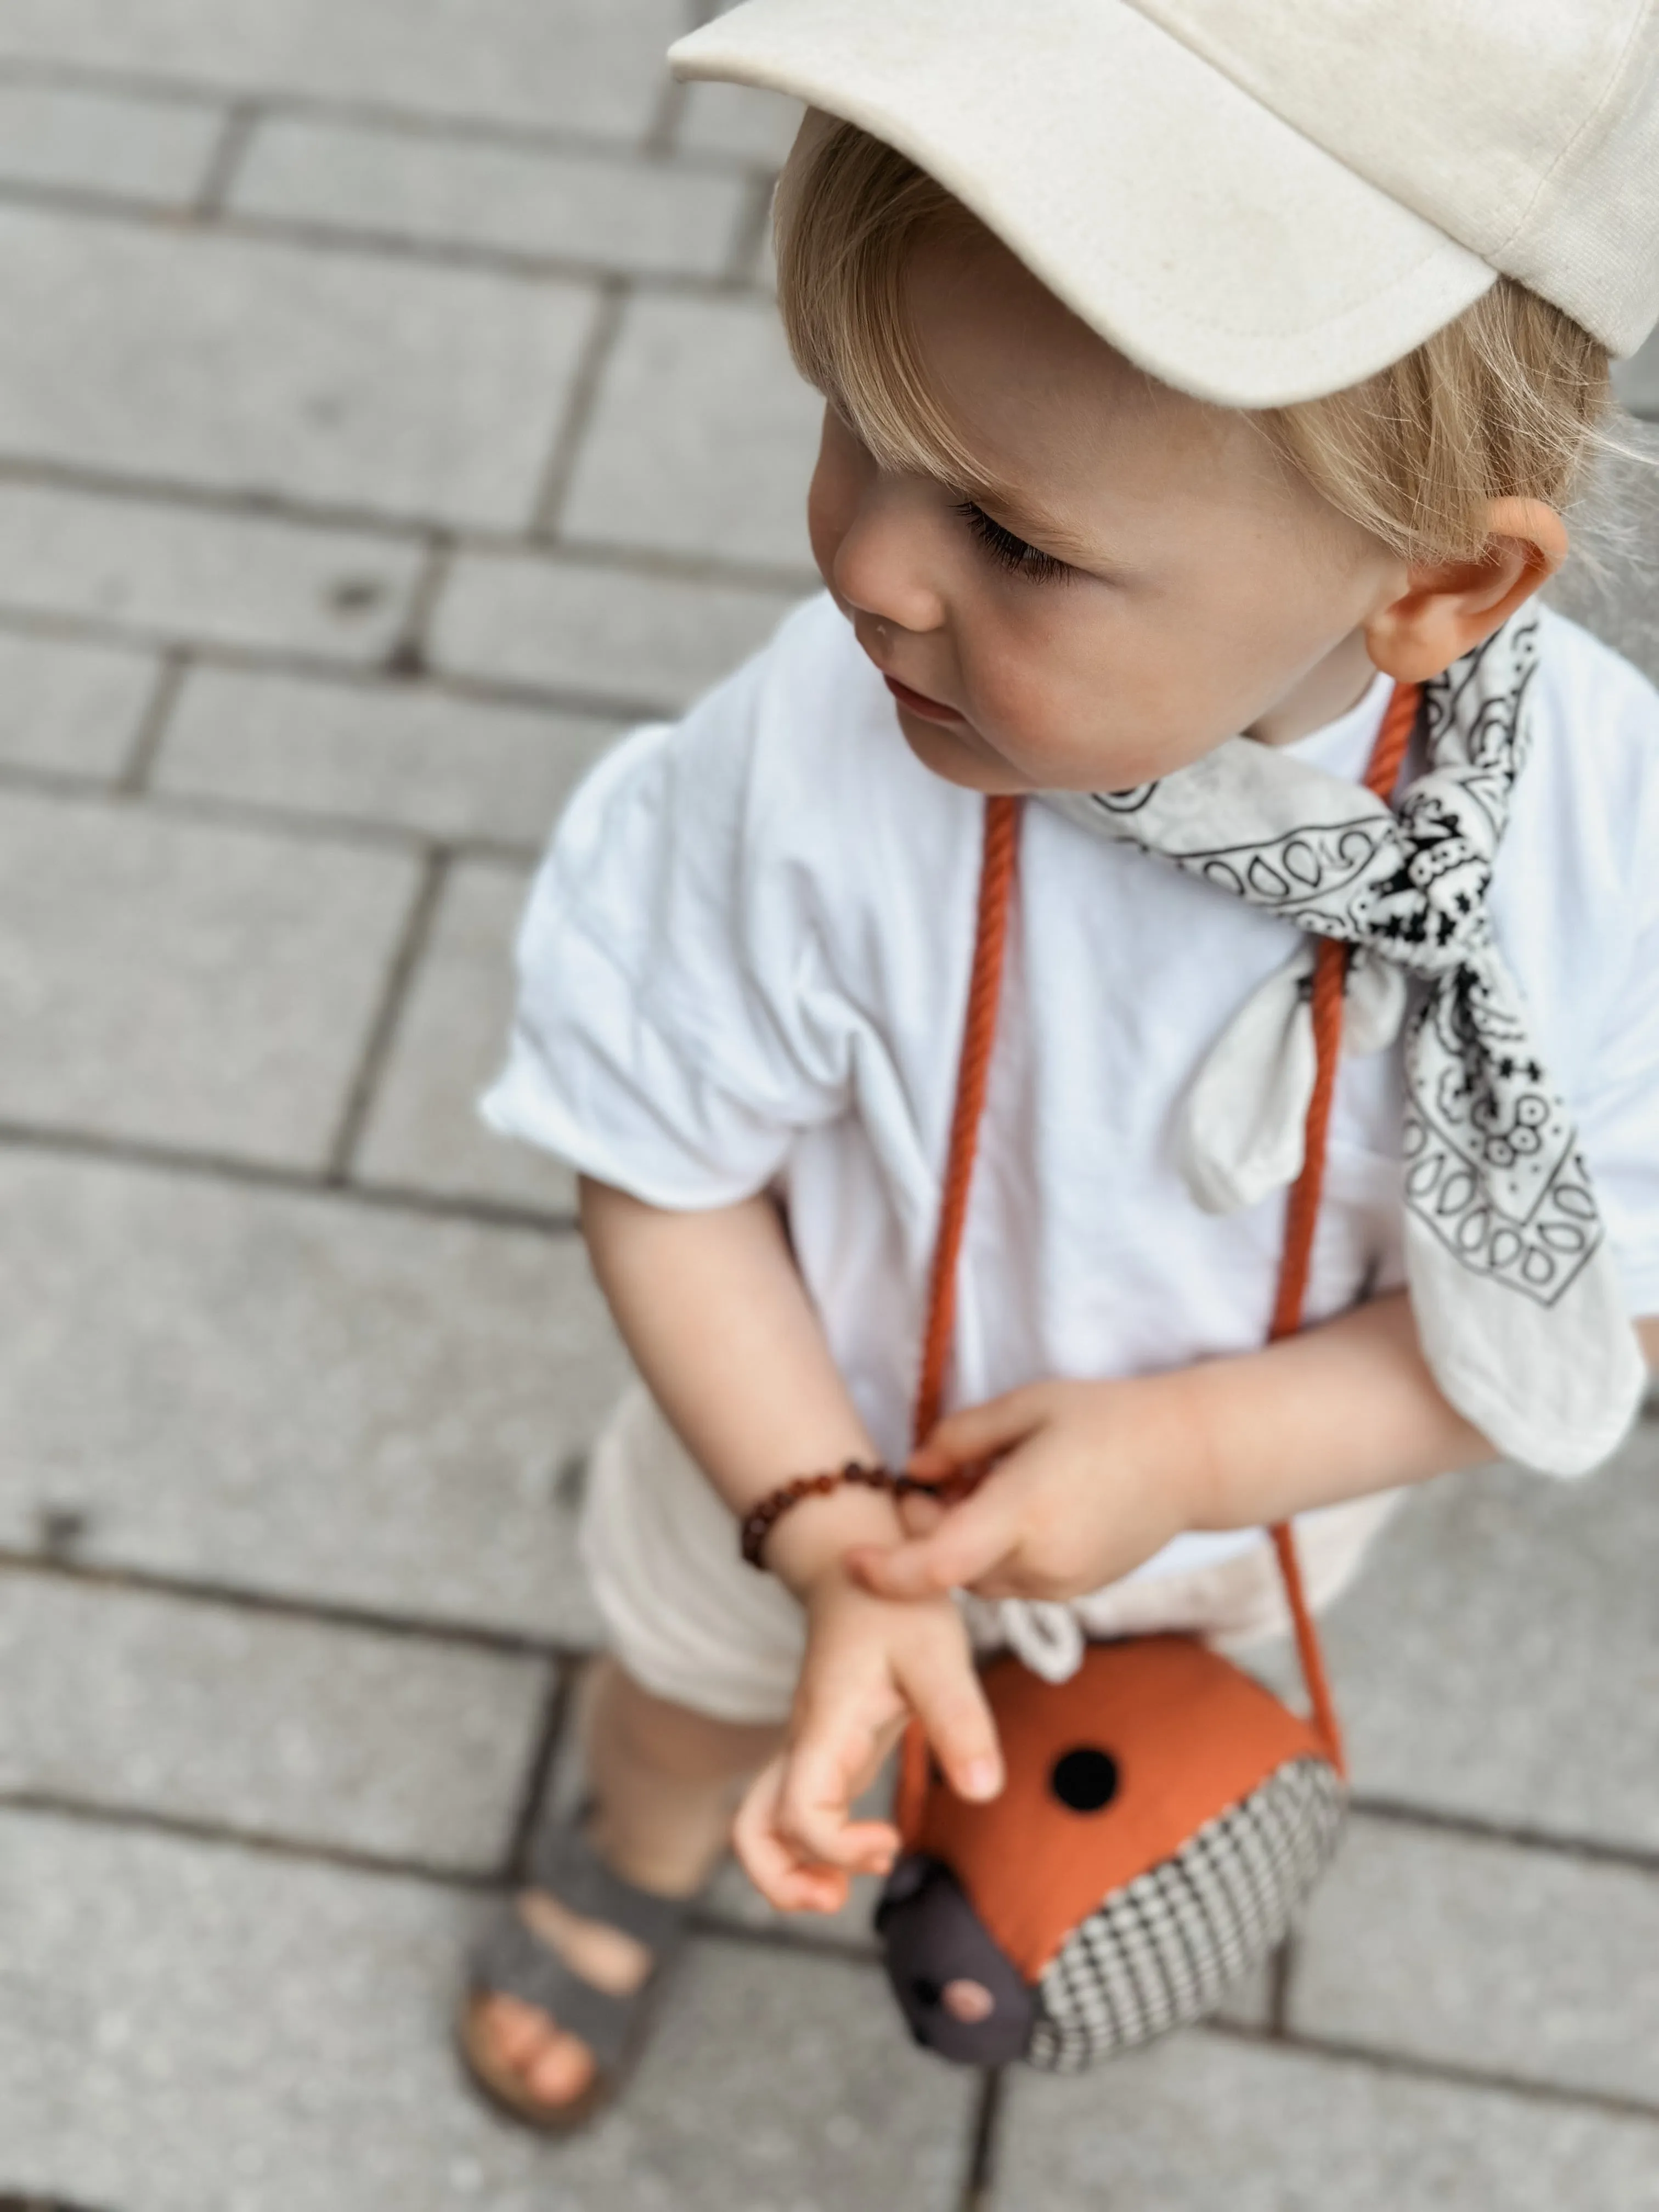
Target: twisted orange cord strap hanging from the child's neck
[{"x": 1302, "y": 1211}]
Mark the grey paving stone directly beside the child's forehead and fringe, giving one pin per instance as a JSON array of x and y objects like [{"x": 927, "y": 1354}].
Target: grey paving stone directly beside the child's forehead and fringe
[{"x": 702, "y": 439}]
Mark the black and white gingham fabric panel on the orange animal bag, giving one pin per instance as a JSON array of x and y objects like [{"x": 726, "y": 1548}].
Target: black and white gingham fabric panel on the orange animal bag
[{"x": 1169, "y": 1945}]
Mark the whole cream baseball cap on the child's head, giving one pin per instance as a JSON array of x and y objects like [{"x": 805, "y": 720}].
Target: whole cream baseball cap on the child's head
[{"x": 1260, "y": 200}]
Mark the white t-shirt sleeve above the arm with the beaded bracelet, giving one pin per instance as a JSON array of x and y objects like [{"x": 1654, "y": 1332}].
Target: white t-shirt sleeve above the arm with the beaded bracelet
[{"x": 669, "y": 1034}]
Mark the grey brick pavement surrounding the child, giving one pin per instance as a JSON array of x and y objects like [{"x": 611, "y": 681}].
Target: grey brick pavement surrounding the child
[{"x": 390, "y": 408}]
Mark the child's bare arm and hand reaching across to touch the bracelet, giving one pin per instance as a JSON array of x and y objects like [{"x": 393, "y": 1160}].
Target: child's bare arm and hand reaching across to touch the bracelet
[{"x": 1094, "y": 1479}]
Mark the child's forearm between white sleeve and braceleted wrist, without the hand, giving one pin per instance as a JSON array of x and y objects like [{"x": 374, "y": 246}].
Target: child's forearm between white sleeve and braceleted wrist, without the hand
[{"x": 724, "y": 1335}]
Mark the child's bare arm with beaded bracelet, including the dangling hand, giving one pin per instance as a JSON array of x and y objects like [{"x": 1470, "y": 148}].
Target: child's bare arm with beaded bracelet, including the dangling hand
[{"x": 722, "y": 1331}]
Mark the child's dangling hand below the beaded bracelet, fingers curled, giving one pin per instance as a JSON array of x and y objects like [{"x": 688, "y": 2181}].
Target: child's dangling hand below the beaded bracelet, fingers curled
[{"x": 870, "y": 1667}]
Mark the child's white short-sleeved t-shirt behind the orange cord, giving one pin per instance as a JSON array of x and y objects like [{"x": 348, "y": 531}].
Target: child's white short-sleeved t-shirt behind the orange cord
[{"x": 747, "y": 959}]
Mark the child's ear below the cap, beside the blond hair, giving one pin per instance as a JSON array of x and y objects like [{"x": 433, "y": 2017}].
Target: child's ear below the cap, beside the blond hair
[{"x": 1448, "y": 609}]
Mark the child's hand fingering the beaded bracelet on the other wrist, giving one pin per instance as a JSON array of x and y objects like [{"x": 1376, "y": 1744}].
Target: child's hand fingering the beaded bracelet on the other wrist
[{"x": 1087, "y": 1483}]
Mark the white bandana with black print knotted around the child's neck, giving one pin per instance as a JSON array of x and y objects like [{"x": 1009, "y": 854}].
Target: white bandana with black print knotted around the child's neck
[{"x": 1512, "y": 1277}]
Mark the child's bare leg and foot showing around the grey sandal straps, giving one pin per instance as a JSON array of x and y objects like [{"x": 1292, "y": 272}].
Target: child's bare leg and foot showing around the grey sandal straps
[{"x": 665, "y": 1786}]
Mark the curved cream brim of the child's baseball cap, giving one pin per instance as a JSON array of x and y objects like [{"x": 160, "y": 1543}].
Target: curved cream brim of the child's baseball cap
[{"x": 1207, "y": 240}]
